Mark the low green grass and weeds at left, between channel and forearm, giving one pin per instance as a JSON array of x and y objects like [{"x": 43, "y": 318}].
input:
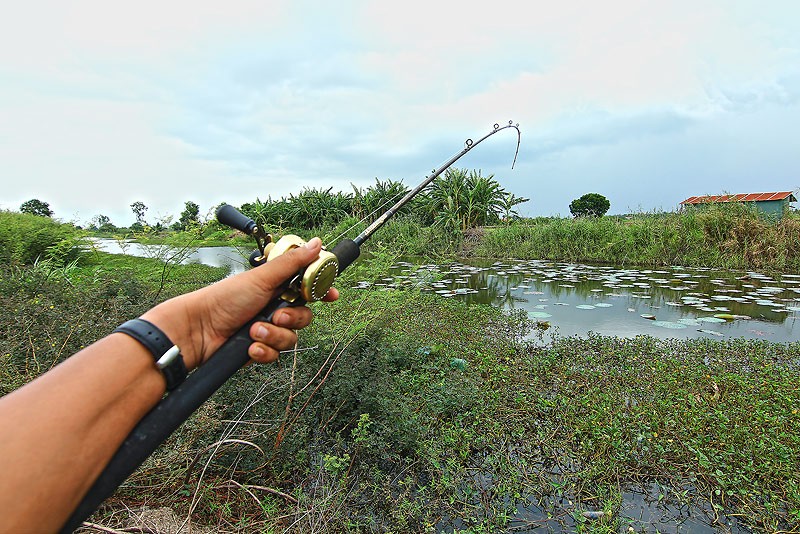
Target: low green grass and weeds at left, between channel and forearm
[{"x": 49, "y": 311}]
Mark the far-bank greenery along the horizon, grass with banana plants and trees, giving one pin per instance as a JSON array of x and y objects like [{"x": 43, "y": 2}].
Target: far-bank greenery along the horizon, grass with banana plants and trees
[{"x": 461, "y": 215}]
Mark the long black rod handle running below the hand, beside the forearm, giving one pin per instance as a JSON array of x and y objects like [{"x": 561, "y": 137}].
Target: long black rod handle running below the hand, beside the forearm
[{"x": 170, "y": 413}]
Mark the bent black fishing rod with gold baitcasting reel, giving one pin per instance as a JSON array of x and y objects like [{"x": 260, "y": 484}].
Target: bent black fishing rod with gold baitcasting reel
[{"x": 308, "y": 285}]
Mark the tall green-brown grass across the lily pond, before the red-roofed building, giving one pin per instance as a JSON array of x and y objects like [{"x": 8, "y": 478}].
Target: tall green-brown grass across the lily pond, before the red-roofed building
[{"x": 729, "y": 236}]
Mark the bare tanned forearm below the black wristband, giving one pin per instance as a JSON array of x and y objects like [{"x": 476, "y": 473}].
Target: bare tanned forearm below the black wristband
[{"x": 90, "y": 403}]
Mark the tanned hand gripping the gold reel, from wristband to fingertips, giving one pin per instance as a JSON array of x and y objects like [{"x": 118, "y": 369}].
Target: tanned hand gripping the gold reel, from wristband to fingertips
[{"x": 201, "y": 321}]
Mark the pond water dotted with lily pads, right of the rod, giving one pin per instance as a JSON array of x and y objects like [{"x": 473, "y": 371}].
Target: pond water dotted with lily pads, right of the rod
[{"x": 673, "y": 302}]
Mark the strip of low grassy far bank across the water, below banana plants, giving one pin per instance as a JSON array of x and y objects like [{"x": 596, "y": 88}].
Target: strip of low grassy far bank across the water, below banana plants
[{"x": 726, "y": 237}]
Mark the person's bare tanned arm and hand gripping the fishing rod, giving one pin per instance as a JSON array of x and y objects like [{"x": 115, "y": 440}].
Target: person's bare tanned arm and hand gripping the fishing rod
[{"x": 58, "y": 432}]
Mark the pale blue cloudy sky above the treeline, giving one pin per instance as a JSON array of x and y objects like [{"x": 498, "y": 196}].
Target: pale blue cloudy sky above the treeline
[{"x": 648, "y": 103}]
